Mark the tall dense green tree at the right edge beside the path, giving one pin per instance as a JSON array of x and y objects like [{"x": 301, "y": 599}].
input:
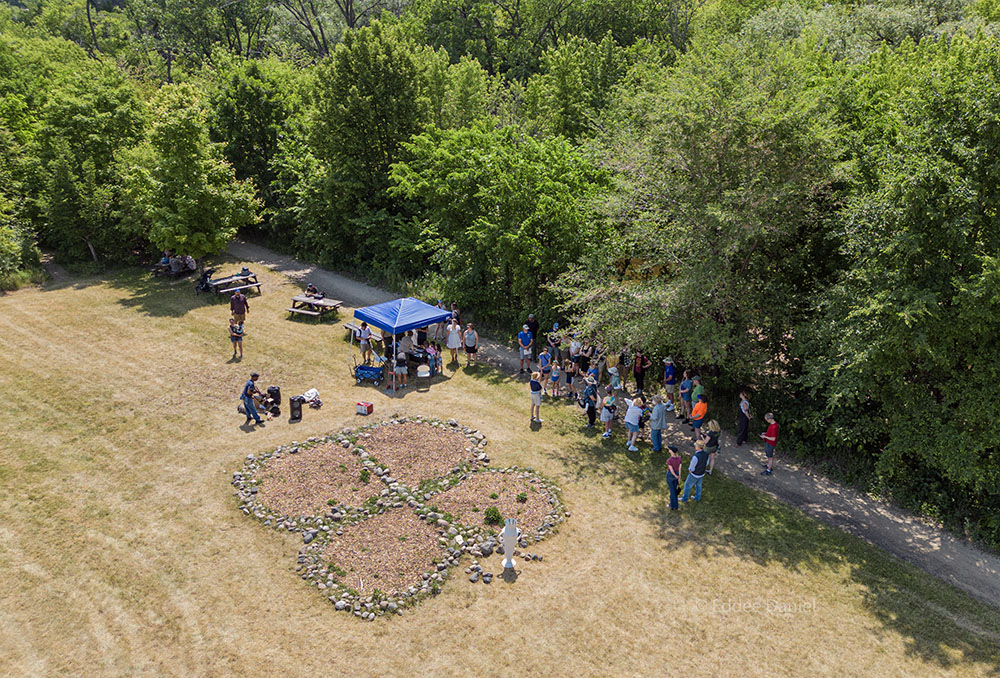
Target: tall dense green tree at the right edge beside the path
[{"x": 908, "y": 336}]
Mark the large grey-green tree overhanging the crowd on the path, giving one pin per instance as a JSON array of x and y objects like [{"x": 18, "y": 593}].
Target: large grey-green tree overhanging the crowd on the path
[{"x": 725, "y": 179}]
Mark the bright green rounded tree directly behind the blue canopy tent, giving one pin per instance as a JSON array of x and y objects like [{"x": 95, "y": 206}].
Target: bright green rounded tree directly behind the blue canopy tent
[{"x": 502, "y": 214}]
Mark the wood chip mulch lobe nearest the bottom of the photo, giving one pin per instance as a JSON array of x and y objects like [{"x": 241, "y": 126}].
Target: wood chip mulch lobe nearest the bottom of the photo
[{"x": 388, "y": 552}]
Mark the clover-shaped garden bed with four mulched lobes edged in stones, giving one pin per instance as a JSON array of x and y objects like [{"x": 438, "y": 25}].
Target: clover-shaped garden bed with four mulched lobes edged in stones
[{"x": 386, "y": 509}]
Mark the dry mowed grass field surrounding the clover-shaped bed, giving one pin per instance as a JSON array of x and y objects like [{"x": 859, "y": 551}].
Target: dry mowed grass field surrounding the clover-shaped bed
[{"x": 122, "y": 551}]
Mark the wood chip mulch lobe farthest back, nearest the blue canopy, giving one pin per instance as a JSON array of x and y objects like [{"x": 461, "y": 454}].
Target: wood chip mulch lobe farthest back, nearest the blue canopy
[{"x": 416, "y": 451}]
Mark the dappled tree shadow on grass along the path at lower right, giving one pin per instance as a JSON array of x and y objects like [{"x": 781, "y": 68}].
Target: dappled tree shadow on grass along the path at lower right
[{"x": 939, "y": 624}]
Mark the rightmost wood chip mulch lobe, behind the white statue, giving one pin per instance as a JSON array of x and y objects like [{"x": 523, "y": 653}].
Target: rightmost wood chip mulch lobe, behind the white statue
[{"x": 463, "y": 500}]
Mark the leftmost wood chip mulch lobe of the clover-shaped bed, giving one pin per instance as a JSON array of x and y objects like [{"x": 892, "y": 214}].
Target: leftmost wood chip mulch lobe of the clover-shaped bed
[{"x": 302, "y": 484}]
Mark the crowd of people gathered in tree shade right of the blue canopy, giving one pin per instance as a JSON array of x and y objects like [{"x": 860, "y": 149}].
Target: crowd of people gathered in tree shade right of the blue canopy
[{"x": 571, "y": 366}]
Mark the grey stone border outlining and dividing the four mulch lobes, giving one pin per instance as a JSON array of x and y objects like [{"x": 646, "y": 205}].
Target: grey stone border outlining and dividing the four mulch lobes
[{"x": 455, "y": 538}]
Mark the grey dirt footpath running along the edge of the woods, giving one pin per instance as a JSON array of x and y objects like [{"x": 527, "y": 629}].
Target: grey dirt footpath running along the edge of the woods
[{"x": 900, "y": 533}]
